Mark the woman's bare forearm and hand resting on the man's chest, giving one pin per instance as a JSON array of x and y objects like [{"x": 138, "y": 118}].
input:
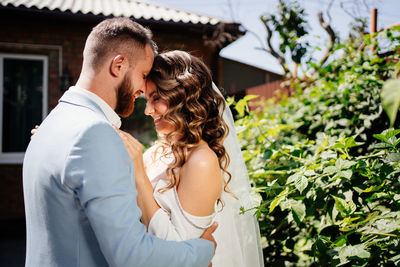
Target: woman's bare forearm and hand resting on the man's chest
[{"x": 145, "y": 199}]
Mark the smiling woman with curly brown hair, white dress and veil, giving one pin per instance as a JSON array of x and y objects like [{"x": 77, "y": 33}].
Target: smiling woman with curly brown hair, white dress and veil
[{"x": 196, "y": 174}]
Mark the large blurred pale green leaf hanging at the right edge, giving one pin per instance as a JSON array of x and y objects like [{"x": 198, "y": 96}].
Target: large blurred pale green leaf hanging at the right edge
[{"x": 391, "y": 99}]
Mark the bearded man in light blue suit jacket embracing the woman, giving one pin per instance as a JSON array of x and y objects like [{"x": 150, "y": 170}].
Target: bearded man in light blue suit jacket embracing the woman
[{"x": 79, "y": 189}]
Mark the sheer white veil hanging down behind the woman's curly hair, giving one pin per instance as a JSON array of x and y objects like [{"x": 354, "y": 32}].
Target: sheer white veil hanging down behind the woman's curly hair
[{"x": 240, "y": 232}]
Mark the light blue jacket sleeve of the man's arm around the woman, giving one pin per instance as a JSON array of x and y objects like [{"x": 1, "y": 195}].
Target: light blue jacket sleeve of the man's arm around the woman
[{"x": 100, "y": 172}]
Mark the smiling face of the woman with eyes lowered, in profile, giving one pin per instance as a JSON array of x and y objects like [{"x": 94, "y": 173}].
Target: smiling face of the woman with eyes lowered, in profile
[{"x": 156, "y": 108}]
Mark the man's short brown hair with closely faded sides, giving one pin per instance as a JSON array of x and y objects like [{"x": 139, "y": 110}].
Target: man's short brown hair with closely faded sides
[{"x": 119, "y": 36}]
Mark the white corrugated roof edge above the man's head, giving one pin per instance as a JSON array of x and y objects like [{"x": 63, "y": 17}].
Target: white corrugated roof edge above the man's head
[{"x": 116, "y": 8}]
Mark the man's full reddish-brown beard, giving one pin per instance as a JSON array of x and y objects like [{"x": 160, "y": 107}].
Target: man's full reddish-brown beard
[{"x": 125, "y": 98}]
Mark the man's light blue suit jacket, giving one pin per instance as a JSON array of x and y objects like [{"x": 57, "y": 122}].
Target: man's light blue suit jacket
[{"x": 80, "y": 197}]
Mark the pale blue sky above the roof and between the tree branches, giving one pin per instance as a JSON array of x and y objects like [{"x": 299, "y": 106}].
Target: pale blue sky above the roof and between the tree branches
[{"x": 248, "y": 12}]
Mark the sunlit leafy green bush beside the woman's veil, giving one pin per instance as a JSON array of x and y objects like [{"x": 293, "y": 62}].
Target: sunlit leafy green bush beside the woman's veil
[{"x": 327, "y": 166}]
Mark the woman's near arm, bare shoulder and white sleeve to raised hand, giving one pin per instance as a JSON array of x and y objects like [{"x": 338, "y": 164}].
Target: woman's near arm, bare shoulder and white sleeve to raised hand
[{"x": 202, "y": 174}]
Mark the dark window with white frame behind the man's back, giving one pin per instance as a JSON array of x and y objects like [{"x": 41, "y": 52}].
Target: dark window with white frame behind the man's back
[{"x": 23, "y": 102}]
